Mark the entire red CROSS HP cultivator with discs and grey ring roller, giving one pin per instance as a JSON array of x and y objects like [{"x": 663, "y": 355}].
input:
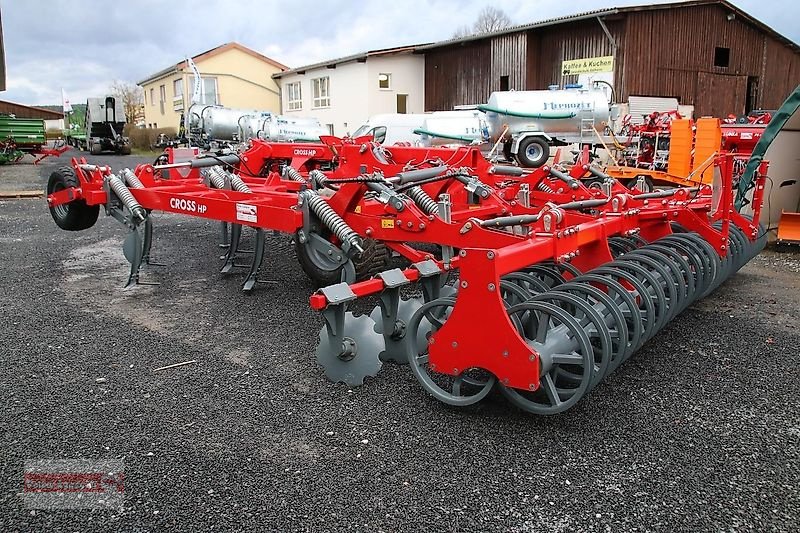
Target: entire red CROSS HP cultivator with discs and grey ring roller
[{"x": 531, "y": 282}]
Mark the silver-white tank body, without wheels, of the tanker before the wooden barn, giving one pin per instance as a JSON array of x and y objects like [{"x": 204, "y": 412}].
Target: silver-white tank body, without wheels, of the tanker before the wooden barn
[{"x": 557, "y": 112}]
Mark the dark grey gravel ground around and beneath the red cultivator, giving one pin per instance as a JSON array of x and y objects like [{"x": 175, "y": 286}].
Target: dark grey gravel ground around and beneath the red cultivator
[{"x": 698, "y": 432}]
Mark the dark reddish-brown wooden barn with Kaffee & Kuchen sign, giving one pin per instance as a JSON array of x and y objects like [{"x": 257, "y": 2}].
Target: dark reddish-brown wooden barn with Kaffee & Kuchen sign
[{"x": 706, "y": 53}]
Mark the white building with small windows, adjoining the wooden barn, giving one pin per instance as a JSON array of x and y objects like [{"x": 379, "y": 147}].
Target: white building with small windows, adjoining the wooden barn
[{"x": 343, "y": 93}]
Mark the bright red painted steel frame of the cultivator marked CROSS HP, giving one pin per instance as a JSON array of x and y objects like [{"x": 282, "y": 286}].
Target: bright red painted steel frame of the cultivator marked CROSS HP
[{"x": 485, "y": 255}]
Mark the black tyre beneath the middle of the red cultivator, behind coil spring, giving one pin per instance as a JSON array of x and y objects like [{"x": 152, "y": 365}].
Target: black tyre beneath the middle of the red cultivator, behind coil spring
[{"x": 374, "y": 259}]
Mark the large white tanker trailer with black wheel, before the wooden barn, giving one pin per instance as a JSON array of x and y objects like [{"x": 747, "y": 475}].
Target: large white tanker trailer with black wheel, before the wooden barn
[{"x": 530, "y": 122}]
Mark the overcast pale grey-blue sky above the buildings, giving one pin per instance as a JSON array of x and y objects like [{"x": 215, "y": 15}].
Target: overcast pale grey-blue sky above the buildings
[{"x": 84, "y": 45}]
